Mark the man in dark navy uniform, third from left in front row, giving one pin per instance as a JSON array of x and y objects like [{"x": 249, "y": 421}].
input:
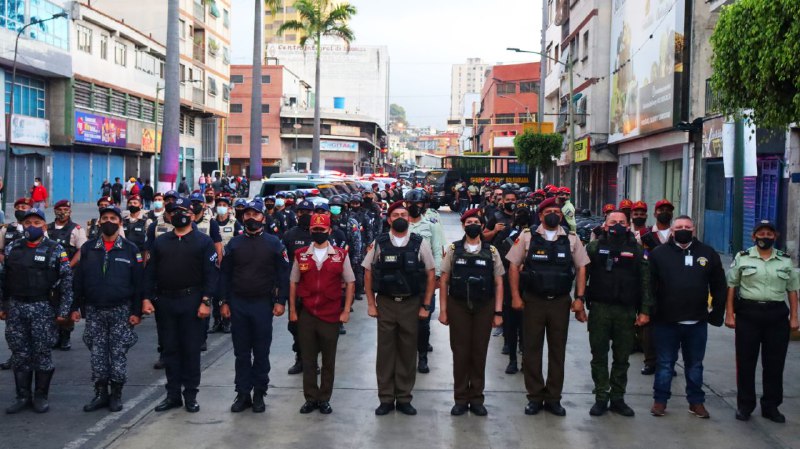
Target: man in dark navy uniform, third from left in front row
[{"x": 182, "y": 275}]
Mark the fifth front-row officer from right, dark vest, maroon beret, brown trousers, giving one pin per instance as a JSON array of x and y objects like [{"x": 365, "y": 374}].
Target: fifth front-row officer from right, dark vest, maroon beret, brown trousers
[{"x": 471, "y": 295}]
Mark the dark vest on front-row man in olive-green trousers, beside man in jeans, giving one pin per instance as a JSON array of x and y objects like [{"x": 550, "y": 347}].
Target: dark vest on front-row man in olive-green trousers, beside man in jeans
[{"x": 614, "y": 273}]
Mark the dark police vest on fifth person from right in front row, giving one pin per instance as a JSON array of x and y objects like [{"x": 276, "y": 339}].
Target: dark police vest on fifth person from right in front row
[{"x": 472, "y": 275}]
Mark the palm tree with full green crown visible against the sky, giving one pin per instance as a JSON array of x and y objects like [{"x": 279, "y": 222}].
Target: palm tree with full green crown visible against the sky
[{"x": 320, "y": 18}]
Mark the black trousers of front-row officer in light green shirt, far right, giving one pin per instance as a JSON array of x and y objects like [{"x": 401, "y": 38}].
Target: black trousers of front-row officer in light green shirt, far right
[{"x": 764, "y": 328}]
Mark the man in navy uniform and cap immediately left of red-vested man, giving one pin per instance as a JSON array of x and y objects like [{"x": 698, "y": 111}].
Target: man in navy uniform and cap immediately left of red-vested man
[{"x": 255, "y": 287}]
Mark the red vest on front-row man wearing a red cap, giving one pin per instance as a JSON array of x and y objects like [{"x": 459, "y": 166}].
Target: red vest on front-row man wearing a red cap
[{"x": 321, "y": 289}]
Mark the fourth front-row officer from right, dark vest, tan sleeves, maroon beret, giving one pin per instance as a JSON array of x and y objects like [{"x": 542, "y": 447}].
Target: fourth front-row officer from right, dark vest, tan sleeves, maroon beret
[{"x": 551, "y": 260}]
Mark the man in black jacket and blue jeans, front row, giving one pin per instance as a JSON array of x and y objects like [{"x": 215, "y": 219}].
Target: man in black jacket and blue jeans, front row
[{"x": 684, "y": 272}]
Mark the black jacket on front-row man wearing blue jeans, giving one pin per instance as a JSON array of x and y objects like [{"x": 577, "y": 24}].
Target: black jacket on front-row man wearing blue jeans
[{"x": 682, "y": 280}]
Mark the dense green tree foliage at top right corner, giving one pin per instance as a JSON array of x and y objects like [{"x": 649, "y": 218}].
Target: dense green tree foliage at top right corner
[{"x": 756, "y": 65}]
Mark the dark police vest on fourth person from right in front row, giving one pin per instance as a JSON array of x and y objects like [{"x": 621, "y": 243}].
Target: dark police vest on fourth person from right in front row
[{"x": 548, "y": 269}]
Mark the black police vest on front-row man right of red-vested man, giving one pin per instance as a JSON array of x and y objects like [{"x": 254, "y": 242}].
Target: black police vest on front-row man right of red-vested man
[{"x": 398, "y": 271}]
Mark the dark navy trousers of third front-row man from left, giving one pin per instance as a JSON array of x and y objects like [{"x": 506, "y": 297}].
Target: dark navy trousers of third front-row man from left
[{"x": 181, "y": 333}]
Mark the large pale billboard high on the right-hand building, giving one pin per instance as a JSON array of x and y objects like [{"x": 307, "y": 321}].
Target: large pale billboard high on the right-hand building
[{"x": 646, "y": 66}]
